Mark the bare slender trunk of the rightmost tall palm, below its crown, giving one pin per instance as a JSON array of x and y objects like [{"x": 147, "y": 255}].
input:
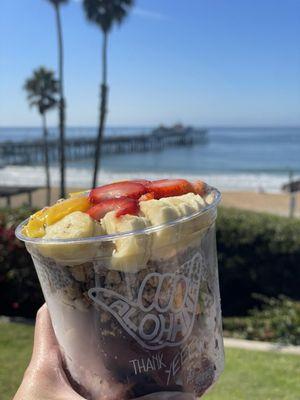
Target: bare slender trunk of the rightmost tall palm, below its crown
[{"x": 103, "y": 110}]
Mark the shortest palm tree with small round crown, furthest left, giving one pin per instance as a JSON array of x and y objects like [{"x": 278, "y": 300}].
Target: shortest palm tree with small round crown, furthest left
[{"x": 42, "y": 89}]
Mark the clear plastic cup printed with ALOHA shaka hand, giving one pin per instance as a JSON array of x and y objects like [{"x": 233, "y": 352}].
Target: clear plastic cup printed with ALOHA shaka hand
[{"x": 138, "y": 312}]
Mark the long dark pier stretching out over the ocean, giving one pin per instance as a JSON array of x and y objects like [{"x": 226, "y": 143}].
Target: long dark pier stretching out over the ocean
[{"x": 32, "y": 152}]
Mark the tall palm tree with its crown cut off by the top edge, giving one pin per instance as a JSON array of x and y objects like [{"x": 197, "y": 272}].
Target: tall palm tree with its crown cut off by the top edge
[{"x": 56, "y": 4}]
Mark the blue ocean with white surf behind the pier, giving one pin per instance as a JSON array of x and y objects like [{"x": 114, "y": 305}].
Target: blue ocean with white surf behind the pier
[{"x": 232, "y": 159}]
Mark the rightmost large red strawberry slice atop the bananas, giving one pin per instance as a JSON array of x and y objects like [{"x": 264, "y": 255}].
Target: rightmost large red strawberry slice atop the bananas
[{"x": 170, "y": 187}]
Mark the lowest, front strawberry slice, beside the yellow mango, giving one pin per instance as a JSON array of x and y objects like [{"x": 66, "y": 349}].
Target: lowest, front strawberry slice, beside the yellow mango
[{"x": 121, "y": 205}]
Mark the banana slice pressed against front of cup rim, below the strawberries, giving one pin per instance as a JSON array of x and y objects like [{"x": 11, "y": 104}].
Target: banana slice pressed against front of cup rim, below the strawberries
[{"x": 131, "y": 253}]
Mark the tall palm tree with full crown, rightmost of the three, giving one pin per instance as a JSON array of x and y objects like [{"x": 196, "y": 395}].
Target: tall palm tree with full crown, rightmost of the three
[{"x": 104, "y": 13}]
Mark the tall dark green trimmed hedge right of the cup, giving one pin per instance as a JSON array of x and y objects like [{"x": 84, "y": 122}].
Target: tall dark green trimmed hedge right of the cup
[{"x": 258, "y": 253}]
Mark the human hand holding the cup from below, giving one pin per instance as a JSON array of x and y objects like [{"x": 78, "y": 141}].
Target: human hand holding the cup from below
[{"x": 45, "y": 378}]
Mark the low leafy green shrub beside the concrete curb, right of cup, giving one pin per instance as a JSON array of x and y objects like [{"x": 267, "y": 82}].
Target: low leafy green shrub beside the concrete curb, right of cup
[{"x": 277, "y": 321}]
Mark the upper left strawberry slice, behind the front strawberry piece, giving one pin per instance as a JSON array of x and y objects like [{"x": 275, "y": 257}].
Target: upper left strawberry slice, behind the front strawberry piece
[{"x": 133, "y": 190}]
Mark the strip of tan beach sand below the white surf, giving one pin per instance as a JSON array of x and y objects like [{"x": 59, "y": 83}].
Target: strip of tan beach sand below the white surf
[{"x": 264, "y": 202}]
